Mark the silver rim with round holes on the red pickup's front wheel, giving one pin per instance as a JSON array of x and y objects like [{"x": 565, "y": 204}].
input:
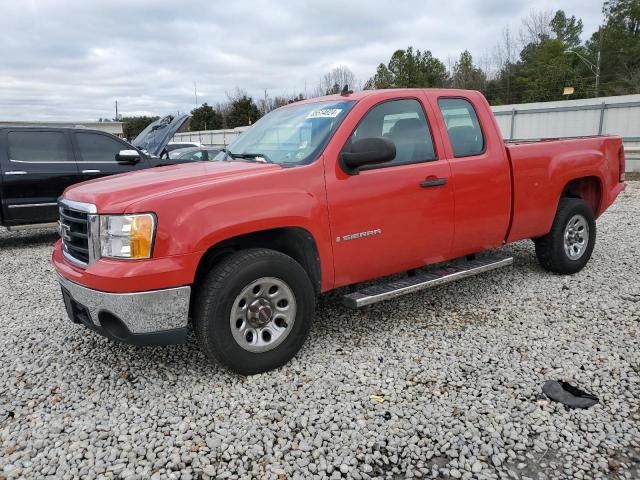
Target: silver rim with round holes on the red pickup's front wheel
[{"x": 263, "y": 314}]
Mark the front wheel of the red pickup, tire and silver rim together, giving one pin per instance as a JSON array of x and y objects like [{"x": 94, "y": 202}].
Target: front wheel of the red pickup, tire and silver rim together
[{"x": 254, "y": 310}]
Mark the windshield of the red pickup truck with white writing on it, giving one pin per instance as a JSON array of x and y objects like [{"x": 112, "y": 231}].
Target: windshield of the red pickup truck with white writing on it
[{"x": 291, "y": 135}]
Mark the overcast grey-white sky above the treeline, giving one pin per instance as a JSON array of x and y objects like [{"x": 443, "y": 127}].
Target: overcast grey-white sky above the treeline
[{"x": 70, "y": 60}]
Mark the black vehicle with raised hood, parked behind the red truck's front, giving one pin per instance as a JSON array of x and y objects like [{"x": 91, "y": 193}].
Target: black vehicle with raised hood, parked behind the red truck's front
[{"x": 38, "y": 163}]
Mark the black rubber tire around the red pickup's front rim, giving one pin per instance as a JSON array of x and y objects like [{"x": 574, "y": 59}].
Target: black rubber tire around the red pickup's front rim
[{"x": 217, "y": 295}]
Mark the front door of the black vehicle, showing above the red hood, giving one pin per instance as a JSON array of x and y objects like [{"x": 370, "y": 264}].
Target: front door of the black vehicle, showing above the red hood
[{"x": 96, "y": 154}]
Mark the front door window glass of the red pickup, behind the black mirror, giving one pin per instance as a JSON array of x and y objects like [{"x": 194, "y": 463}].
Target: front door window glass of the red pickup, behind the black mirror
[{"x": 404, "y": 123}]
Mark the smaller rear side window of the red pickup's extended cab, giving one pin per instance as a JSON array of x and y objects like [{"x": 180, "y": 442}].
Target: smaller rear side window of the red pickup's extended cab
[{"x": 463, "y": 126}]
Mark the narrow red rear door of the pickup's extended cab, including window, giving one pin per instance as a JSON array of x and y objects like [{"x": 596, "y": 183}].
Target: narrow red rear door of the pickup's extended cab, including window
[{"x": 480, "y": 172}]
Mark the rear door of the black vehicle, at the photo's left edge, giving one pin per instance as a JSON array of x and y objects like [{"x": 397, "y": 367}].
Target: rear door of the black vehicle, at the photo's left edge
[{"x": 37, "y": 165}]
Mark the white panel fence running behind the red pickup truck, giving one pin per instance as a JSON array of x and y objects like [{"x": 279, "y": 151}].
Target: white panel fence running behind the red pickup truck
[{"x": 567, "y": 118}]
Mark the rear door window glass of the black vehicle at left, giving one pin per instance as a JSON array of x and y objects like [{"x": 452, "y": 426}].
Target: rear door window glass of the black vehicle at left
[{"x": 42, "y": 147}]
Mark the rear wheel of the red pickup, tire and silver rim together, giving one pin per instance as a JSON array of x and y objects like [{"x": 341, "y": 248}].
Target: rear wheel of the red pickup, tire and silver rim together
[{"x": 568, "y": 246}]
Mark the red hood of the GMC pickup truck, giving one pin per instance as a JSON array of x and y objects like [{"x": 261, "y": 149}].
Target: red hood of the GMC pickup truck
[{"x": 115, "y": 193}]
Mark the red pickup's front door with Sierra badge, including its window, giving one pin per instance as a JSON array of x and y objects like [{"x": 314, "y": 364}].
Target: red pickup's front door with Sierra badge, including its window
[{"x": 394, "y": 216}]
